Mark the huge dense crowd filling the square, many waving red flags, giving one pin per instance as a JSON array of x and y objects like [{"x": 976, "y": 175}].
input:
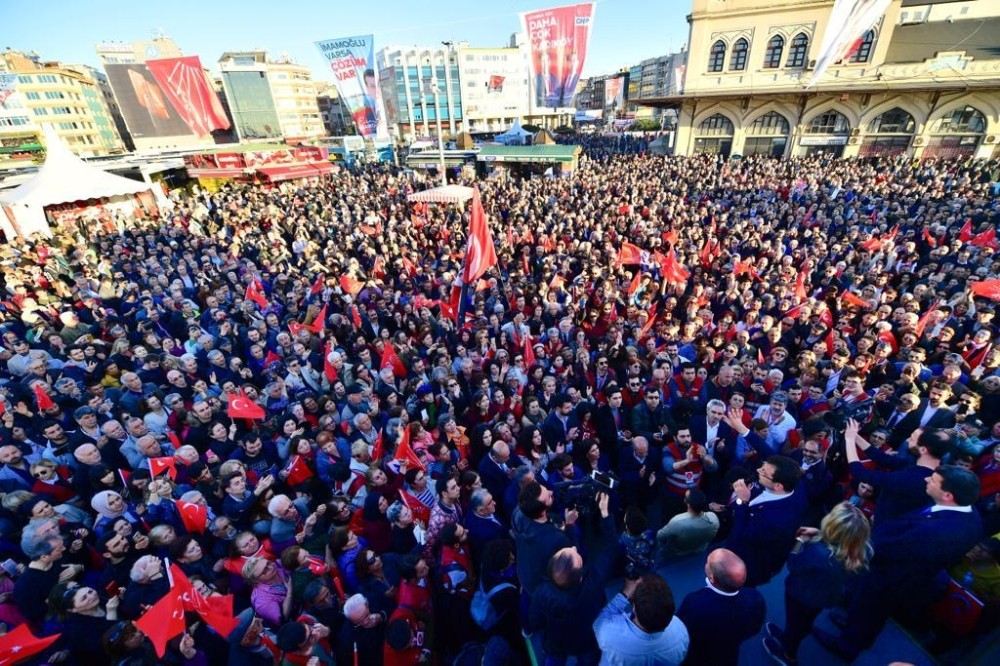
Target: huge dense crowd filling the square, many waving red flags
[{"x": 267, "y": 399}]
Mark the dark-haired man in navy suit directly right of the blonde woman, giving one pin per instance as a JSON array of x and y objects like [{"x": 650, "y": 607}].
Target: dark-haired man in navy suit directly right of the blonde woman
[{"x": 911, "y": 554}]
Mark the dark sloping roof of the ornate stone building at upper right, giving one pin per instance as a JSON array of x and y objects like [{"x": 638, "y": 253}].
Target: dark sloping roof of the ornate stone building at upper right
[{"x": 920, "y": 41}]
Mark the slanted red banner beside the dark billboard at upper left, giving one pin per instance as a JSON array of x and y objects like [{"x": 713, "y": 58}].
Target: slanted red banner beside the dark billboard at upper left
[{"x": 184, "y": 83}]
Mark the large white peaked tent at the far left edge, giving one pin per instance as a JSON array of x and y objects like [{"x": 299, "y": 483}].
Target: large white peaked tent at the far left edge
[{"x": 63, "y": 178}]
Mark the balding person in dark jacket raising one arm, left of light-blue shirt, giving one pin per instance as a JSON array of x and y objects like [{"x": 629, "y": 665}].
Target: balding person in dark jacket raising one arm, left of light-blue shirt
[{"x": 565, "y": 605}]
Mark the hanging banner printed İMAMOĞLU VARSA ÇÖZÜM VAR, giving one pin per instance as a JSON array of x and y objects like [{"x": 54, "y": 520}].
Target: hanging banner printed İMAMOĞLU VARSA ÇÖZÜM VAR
[{"x": 352, "y": 60}]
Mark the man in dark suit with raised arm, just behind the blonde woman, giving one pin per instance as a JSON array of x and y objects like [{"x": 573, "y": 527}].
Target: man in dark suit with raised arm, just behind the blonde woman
[{"x": 902, "y": 489}]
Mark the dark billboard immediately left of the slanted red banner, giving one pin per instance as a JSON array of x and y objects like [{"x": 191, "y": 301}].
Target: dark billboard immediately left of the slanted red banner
[{"x": 145, "y": 107}]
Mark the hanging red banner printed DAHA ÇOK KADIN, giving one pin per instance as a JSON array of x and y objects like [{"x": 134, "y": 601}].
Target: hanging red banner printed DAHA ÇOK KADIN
[{"x": 557, "y": 39}]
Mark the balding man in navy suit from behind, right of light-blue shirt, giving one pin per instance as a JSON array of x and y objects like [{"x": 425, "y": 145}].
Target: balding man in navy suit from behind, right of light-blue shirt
[{"x": 724, "y": 613}]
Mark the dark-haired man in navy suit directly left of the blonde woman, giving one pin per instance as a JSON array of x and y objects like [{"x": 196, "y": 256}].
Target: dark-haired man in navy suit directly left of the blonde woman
[{"x": 764, "y": 524}]
